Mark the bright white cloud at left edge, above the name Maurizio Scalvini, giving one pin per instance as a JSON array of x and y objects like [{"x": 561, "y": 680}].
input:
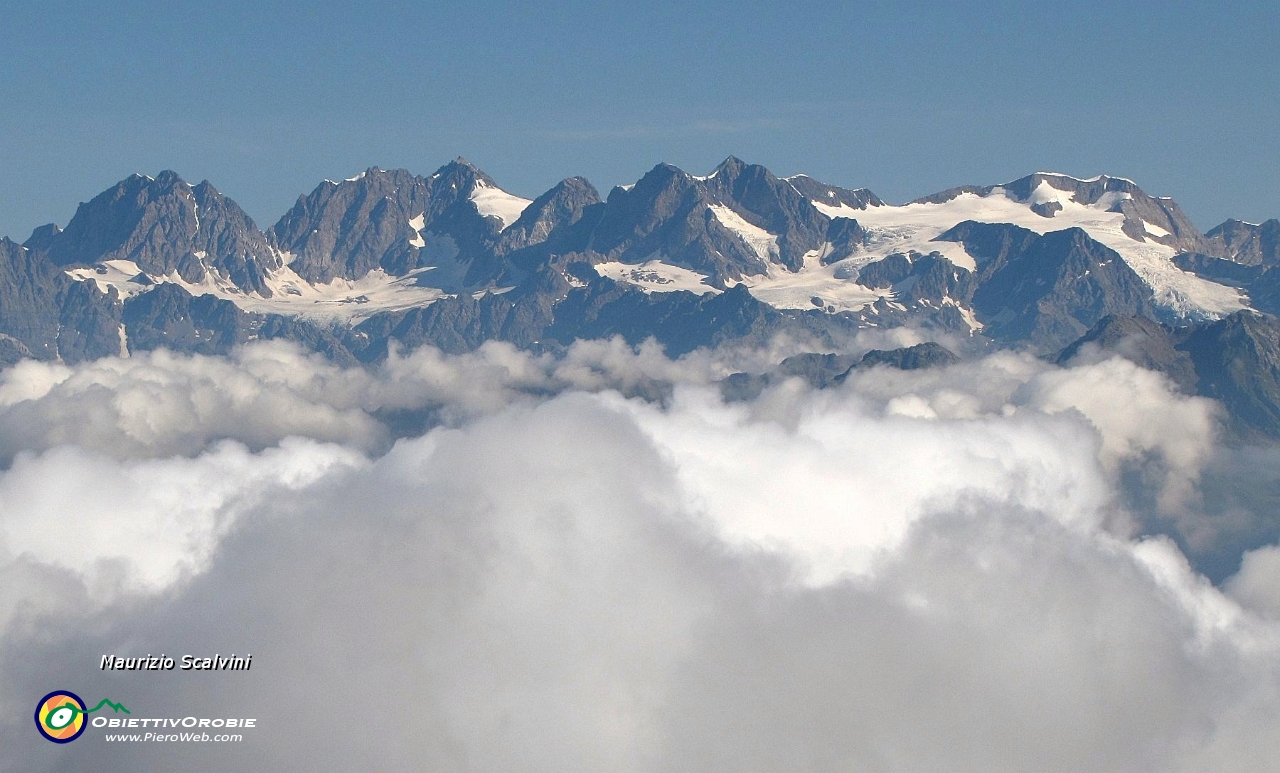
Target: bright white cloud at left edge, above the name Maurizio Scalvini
[{"x": 145, "y": 523}]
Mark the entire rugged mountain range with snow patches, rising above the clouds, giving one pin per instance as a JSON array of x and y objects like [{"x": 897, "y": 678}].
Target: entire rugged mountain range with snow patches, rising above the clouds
[{"x": 1048, "y": 263}]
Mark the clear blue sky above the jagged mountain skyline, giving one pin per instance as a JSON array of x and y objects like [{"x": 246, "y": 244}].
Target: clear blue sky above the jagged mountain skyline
[{"x": 903, "y": 98}]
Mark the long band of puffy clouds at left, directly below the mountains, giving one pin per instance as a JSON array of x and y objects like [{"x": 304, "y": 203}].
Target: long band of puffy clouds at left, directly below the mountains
[{"x": 161, "y": 404}]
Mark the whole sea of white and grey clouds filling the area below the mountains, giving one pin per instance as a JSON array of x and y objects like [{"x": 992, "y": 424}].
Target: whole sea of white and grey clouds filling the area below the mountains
[{"x": 505, "y": 561}]
